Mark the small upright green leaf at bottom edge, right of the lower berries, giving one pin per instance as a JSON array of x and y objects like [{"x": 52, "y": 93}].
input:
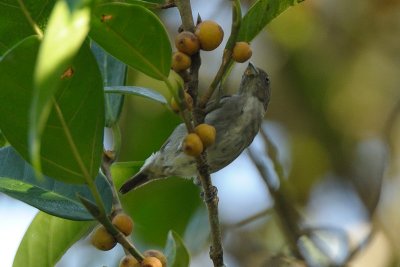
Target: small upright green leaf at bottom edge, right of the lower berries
[{"x": 176, "y": 251}]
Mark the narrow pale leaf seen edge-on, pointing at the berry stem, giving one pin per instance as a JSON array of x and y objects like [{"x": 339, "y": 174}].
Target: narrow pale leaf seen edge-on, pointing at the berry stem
[{"x": 135, "y": 90}]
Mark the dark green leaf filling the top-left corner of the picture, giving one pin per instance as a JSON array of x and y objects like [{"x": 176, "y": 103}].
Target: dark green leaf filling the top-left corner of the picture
[{"x": 14, "y": 20}]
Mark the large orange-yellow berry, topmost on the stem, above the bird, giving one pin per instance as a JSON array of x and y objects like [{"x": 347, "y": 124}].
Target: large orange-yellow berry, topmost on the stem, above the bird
[{"x": 210, "y": 35}]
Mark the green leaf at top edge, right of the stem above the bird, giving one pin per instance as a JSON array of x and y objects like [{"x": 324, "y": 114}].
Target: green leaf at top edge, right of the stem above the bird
[{"x": 260, "y": 14}]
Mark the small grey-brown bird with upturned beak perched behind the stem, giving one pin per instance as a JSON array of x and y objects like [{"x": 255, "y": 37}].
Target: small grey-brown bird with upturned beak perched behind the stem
[{"x": 237, "y": 119}]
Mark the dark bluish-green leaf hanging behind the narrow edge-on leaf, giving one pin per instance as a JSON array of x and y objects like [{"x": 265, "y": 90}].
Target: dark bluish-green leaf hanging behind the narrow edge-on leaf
[{"x": 113, "y": 72}]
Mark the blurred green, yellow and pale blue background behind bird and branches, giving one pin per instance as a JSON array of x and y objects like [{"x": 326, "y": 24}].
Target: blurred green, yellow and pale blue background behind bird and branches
[{"x": 322, "y": 181}]
